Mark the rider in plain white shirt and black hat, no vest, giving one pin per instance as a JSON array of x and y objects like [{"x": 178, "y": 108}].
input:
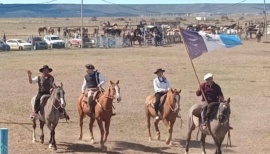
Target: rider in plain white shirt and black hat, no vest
[{"x": 161, "y": 87}]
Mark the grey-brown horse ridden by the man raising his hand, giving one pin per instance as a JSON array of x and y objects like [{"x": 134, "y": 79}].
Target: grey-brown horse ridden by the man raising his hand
[{"x": 49, "y": 113}]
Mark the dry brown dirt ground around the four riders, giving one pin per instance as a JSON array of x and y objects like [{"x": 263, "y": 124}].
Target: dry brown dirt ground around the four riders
[{"x": 242, "y": 72}]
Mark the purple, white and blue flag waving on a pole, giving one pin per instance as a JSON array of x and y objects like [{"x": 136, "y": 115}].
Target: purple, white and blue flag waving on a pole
[{"x": 200, "y": 42}]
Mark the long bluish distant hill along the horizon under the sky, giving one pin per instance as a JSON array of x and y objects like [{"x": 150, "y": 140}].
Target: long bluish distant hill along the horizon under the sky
[{"x": 73, "y": 10}]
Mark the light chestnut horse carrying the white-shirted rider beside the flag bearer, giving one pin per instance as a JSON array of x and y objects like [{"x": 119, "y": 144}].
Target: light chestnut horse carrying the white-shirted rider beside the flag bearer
[{"x": 170, "y": 109}]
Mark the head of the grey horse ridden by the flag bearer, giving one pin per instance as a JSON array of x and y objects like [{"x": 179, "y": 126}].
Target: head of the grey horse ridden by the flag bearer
[{"x": 224, "y": 111}]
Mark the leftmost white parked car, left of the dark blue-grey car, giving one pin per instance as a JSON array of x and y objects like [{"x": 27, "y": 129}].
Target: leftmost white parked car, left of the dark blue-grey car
[{"x": 19, "y": 44}]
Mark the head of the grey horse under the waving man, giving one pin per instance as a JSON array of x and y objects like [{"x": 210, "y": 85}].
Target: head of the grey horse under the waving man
[{"x": 59, "y": 94}]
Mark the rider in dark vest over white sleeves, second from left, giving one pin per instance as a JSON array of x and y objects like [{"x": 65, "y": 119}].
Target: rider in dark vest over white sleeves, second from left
[{"x": 93, "y": 81}]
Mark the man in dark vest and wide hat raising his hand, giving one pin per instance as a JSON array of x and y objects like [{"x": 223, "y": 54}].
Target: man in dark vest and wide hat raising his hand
[{"x": 46, "y": 84}]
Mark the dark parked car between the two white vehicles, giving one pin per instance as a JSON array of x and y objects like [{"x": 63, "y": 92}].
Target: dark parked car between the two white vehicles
[{"x": 37, "y": 42}]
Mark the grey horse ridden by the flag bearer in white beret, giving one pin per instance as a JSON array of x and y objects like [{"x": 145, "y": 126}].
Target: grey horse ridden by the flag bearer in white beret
[{"x": 217, "y": 126}]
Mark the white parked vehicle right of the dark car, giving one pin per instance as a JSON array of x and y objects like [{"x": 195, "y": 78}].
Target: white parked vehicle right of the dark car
[{"x": 54, "y": 41}]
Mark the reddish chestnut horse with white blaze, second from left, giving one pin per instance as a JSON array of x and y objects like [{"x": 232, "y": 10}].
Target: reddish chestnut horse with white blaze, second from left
[{"x": 103, "y": 111}]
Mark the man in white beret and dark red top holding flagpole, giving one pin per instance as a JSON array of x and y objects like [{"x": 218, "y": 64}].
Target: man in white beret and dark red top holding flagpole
[{"x": 213, "y": 94}]
